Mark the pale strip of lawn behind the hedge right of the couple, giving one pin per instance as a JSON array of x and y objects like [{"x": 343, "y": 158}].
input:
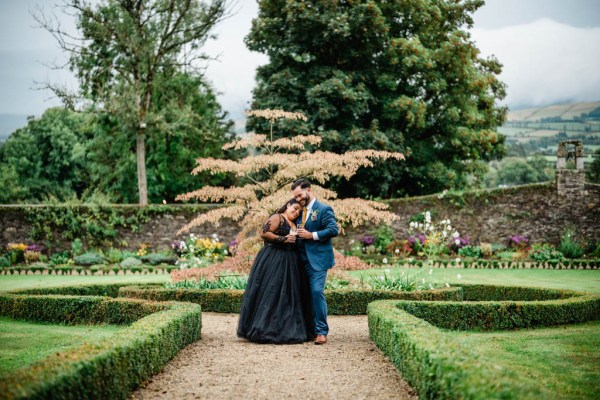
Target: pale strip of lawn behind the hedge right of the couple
[{"x": 579, "y": 280}]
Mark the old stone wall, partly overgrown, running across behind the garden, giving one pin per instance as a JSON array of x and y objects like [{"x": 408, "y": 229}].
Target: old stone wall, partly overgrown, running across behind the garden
[{"x": 535, "y": 211}]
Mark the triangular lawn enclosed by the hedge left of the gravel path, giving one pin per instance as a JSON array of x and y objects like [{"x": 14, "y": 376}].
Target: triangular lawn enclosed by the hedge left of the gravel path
[{"x": 23, "y": 343}]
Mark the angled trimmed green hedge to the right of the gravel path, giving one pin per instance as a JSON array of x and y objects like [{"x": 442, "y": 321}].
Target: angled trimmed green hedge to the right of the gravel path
[{"x": 437, "y": 367}]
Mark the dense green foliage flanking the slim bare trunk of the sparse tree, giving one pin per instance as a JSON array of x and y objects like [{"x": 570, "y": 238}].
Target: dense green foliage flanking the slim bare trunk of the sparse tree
[{"x": 189, "y": 124}]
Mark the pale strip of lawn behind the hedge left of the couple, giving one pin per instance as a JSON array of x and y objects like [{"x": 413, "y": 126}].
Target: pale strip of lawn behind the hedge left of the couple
[{"x": 10, "y": 282}]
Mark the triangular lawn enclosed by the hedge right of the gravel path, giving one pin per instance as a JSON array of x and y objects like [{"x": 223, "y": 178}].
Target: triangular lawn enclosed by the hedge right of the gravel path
[{"x": 563, "y": 362}]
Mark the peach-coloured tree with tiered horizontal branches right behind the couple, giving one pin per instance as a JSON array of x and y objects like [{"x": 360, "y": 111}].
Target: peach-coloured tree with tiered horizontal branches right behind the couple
[{"x": 265, "y": 175}]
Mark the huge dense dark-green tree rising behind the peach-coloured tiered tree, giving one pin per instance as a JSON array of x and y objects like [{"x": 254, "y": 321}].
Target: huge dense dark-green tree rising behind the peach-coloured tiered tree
[{"x": 399, "y": 75}]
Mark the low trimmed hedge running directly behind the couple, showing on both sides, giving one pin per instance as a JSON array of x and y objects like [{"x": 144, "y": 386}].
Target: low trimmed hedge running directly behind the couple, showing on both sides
[{"x": 339, "y": 301}]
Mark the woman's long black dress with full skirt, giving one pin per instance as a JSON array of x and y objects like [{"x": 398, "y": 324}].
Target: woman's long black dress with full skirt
[{"x": 276, "y": 305}]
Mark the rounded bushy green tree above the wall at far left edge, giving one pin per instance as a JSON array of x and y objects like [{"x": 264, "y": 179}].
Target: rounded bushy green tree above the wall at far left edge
[{"x": 46, "y": 158}]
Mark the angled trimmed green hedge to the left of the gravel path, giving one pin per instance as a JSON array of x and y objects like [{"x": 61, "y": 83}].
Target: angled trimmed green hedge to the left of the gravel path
[{"x": 110, "y": 368}]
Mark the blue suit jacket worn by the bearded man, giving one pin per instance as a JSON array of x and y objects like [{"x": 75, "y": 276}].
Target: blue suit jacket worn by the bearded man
[{"x": 322, "y": 221}]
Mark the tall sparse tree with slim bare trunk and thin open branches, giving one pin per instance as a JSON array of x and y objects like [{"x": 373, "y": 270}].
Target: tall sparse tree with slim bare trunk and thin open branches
[{"x": 125, "y": 48}]
